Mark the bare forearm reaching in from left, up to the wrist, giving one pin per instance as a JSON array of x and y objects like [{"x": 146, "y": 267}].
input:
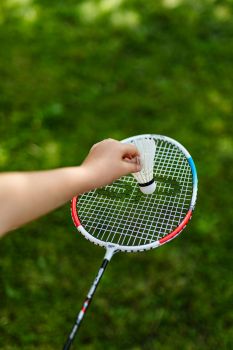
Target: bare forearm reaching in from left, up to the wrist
[{"x": 27, "y": 196}]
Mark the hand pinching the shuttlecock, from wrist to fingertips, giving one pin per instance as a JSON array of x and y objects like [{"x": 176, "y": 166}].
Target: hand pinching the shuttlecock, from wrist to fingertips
[{"x": 108, "y": 160}]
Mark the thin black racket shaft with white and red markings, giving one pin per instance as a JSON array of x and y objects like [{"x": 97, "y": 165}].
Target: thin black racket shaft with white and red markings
[{"x": 86, "y": 304}]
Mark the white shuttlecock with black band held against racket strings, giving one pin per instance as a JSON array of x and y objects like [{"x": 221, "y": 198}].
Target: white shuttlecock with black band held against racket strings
[{"x": 144, "y": 177}]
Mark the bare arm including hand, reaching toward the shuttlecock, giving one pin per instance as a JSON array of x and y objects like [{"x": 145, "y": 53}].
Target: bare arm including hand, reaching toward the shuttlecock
[{"x": 25, "y": 196}]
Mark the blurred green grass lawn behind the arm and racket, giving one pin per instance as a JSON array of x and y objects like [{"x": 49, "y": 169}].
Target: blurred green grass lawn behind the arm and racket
[{"x": 73, "y": 73}]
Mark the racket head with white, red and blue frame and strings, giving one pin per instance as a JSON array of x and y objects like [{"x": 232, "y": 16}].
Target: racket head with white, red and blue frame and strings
[{"x": 120, "y": 216}]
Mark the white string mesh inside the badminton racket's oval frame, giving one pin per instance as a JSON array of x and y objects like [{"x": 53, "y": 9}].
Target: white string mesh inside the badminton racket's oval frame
[{"x": 128, "y": 221}]
